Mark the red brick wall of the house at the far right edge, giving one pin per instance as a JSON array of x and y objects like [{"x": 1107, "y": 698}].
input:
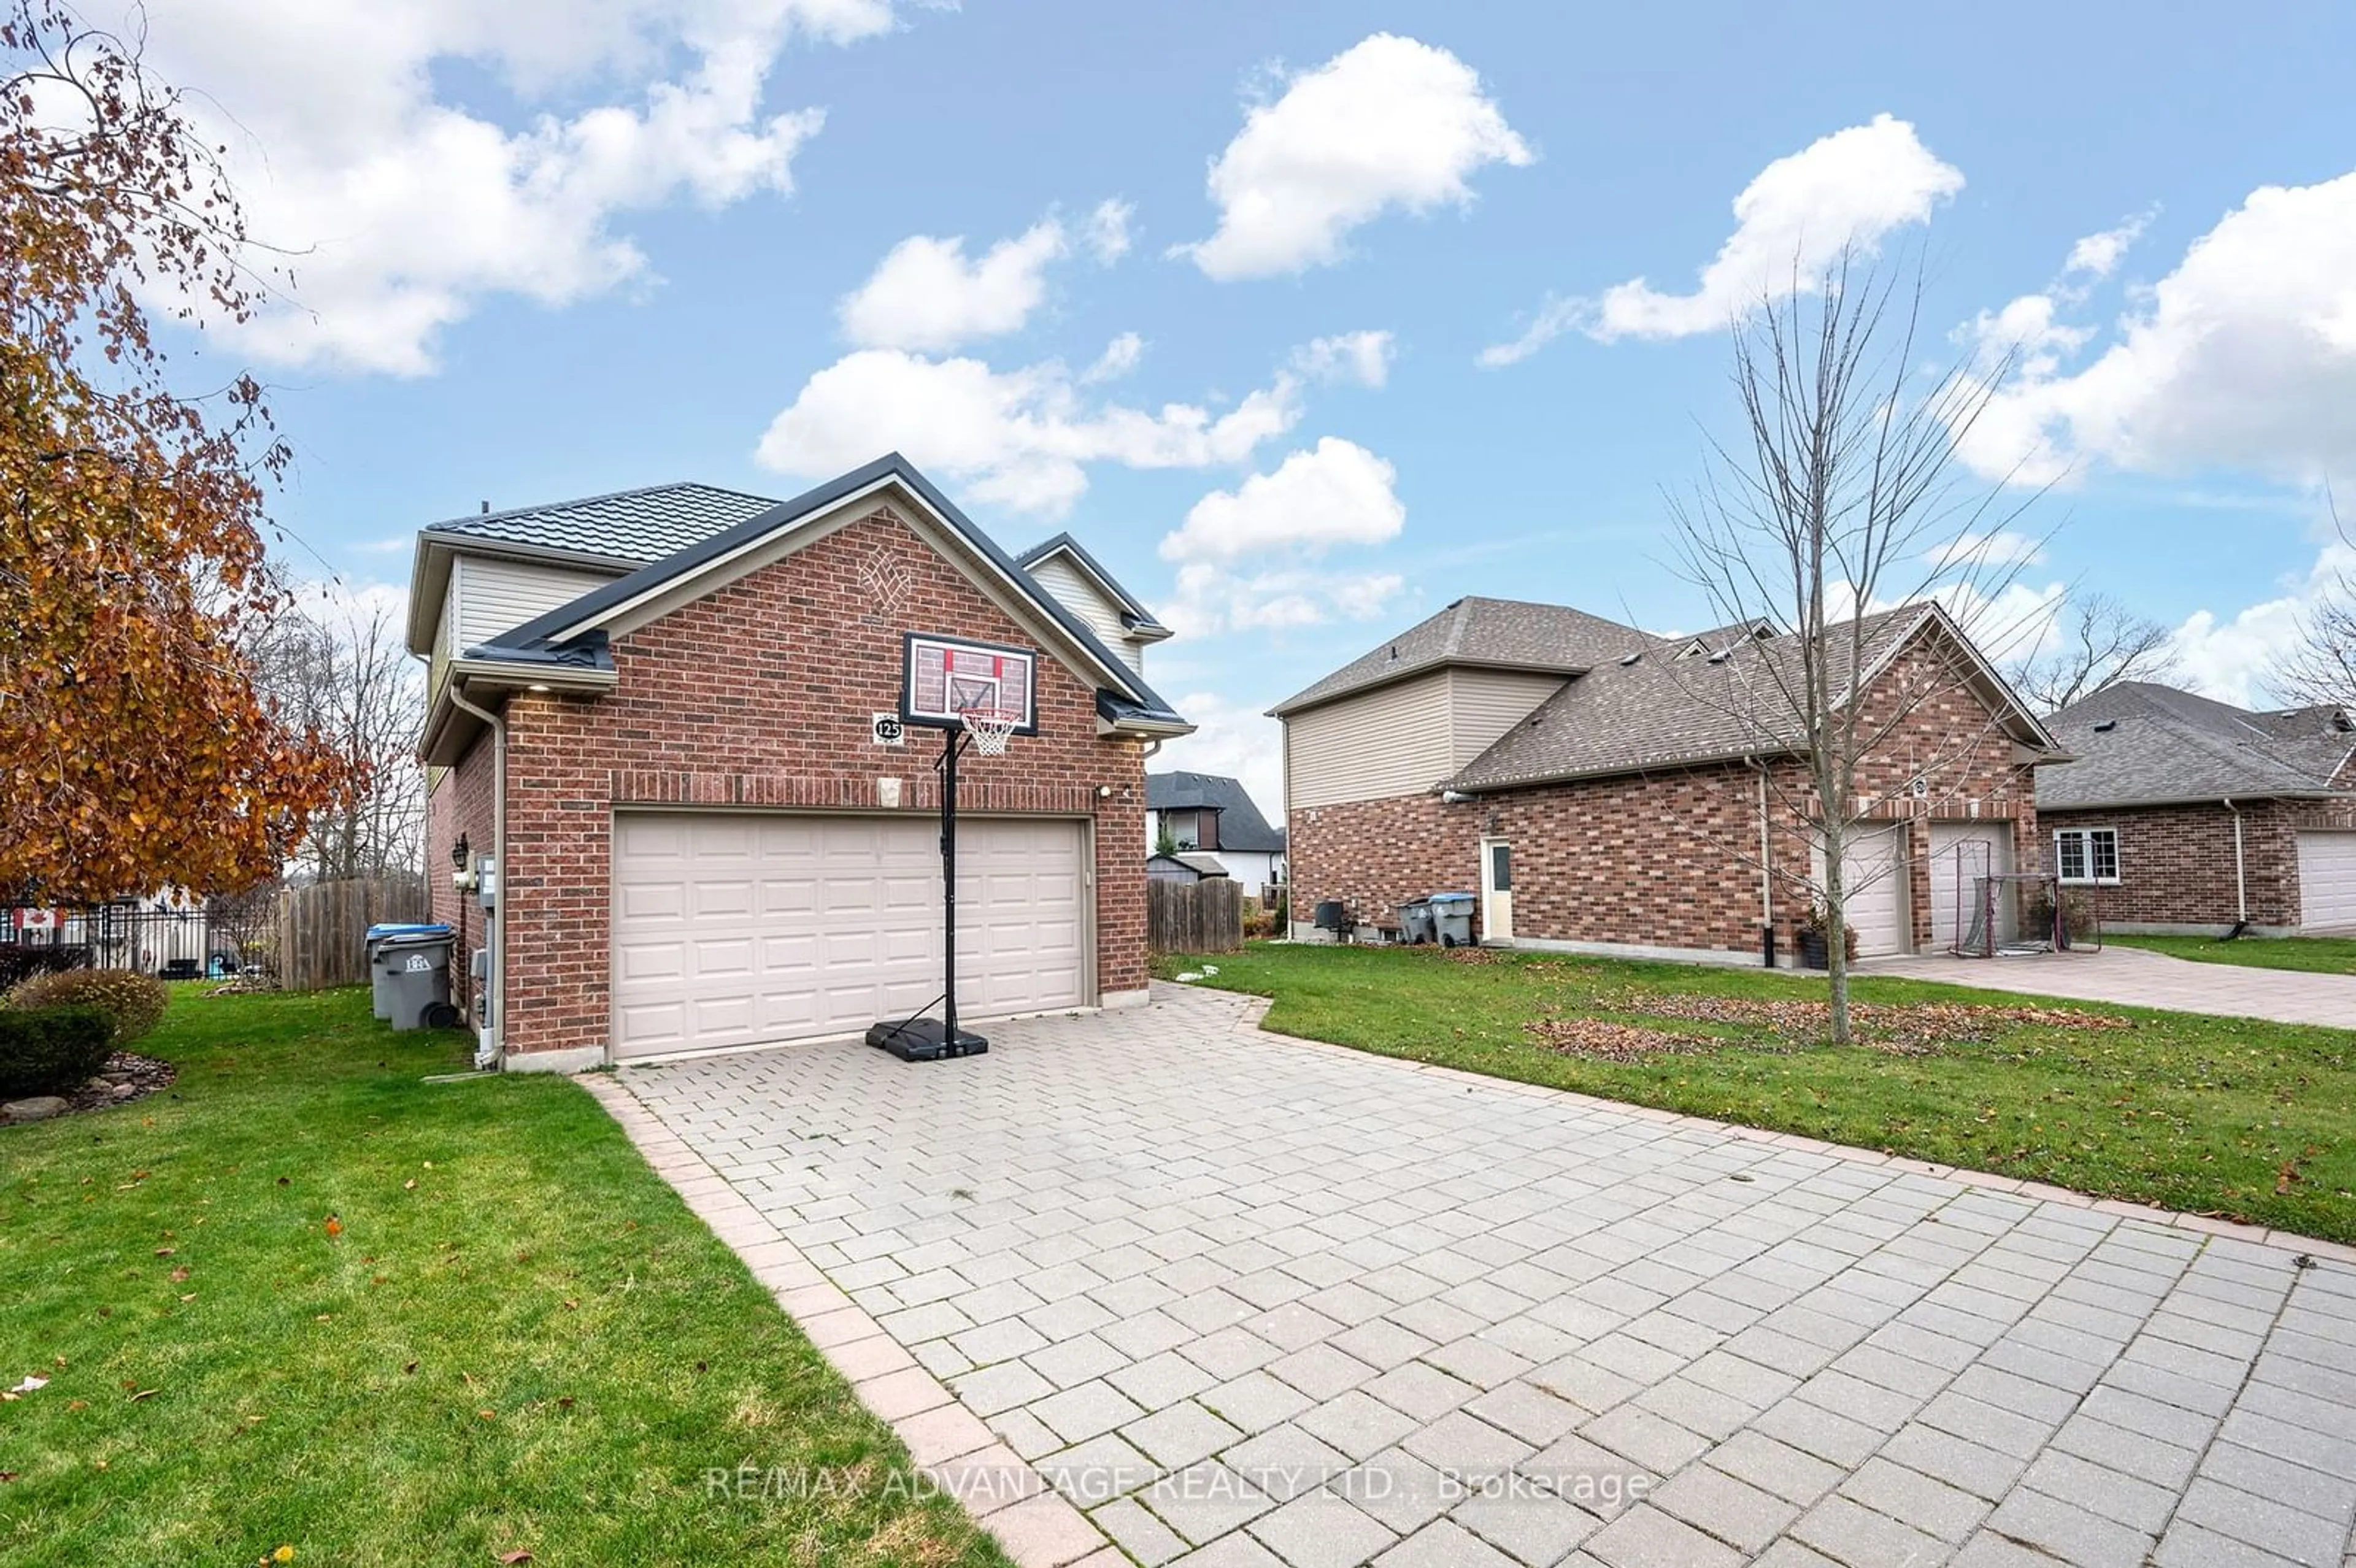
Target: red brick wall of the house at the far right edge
[{"x": 2176, "y": 863}]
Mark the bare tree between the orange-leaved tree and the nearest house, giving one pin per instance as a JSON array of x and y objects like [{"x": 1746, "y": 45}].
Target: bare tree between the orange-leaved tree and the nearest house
[{"x": 345, "y": 672}]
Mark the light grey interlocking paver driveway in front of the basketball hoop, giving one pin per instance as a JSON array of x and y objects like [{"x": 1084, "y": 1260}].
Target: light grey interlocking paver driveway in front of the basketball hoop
[{"x": 1250, "y": 1301}]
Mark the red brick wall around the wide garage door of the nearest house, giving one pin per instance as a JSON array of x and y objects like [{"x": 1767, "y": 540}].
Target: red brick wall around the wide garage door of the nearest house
[{"x": 762, "y": 696}]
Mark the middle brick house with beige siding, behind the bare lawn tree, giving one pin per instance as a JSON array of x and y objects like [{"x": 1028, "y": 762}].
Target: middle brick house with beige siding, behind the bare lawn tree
[{"x": 1608, "y": 790}]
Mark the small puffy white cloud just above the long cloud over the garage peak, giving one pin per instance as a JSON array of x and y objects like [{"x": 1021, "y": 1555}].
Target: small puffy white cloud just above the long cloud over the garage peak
[{"x": 929, "y": 295}]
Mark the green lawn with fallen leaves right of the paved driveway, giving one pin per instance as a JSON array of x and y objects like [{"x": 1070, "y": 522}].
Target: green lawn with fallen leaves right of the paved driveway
[{"x": 2223, "y": 1117}]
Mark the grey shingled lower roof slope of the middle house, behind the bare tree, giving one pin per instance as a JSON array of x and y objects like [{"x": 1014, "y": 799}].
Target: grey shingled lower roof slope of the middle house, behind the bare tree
[{"x": 1669, "y": 712}]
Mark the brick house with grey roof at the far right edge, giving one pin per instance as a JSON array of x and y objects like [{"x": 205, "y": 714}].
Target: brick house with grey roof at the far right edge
[{"x": 2185, "y": 813}]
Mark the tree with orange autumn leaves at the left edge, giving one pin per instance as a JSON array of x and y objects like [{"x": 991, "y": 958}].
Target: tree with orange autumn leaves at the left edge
[{"x": 133, "y": 573}]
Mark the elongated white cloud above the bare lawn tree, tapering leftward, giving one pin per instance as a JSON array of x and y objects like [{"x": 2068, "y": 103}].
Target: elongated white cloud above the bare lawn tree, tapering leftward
[{"x": 1848, "y": 190}]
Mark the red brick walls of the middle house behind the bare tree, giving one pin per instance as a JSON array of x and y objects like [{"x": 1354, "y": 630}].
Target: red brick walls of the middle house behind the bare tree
[{"x": 1672, "y": 858}]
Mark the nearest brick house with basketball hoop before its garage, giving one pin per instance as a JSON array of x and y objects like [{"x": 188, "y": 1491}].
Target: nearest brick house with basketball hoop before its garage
[{"x": 659, "y": 712}]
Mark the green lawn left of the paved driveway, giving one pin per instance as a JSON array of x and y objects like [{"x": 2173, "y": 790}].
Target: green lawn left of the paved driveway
[{"x": 522, "y": 1341}]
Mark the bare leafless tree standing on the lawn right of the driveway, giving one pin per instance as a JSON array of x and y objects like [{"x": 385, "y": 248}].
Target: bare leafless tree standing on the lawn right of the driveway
[{"x": 1839, "y": 498}]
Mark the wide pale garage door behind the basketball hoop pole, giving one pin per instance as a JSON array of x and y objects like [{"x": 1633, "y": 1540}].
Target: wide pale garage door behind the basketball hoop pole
[{"x": 734, "y": 929}]
